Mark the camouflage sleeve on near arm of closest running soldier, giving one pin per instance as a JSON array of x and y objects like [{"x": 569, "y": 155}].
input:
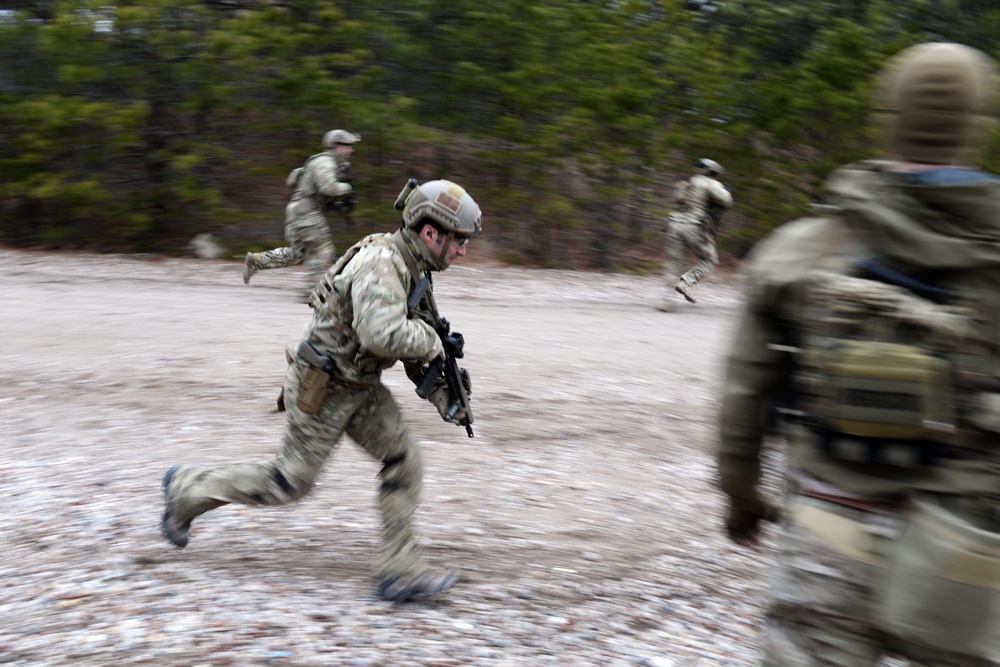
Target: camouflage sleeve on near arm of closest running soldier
[{"x": 378, "y": 292}]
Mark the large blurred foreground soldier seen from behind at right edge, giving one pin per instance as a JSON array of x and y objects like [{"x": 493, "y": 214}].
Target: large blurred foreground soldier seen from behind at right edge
[{"x": 877, "y": 320}]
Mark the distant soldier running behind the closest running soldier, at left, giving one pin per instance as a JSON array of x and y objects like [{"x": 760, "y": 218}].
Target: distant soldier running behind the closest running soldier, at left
[{"x": 323, "y": 183}]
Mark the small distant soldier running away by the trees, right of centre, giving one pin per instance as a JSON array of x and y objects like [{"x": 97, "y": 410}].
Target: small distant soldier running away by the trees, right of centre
[{"x": 699, "y": 202}]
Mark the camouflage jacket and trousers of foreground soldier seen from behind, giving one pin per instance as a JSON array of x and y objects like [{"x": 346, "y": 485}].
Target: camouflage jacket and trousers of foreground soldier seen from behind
[{"x": 843, "y": 518}]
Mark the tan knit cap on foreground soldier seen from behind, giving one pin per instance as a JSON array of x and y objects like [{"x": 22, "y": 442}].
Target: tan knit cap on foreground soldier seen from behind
[{"x": 939, "y": 97}]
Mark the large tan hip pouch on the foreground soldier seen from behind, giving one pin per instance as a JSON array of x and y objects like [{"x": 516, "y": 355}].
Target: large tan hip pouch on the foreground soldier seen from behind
[{"x": 942, "y": 585}]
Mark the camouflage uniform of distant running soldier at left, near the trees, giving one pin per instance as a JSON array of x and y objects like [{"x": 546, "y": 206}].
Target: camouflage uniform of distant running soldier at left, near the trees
[{"x": 321, "y": 182}]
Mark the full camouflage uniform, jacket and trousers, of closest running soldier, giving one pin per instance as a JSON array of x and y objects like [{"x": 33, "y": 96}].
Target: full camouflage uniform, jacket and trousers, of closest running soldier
[{"x": 361, "y": 320}]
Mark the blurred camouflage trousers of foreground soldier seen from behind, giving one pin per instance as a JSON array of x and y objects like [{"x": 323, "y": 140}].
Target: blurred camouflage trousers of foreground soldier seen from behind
[{"x": 822, "y": 611}]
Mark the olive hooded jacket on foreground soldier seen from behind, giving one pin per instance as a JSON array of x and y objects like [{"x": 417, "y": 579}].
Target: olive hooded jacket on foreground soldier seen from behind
[{"x": 944, "y": 223}]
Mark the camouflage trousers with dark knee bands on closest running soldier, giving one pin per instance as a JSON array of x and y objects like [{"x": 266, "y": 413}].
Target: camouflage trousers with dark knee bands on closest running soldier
[{"x": 372, "y": 418}]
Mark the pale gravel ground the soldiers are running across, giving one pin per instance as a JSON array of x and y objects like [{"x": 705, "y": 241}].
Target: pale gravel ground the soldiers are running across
[{"x": 582, "y": 514}]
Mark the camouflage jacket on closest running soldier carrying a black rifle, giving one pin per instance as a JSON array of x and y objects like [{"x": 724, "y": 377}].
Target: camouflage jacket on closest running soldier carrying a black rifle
[{"x": 360, "y": 314}]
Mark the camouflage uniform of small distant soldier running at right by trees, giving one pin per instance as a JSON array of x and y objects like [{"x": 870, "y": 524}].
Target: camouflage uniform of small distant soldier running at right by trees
[{"x": 689, "y": 228}]
